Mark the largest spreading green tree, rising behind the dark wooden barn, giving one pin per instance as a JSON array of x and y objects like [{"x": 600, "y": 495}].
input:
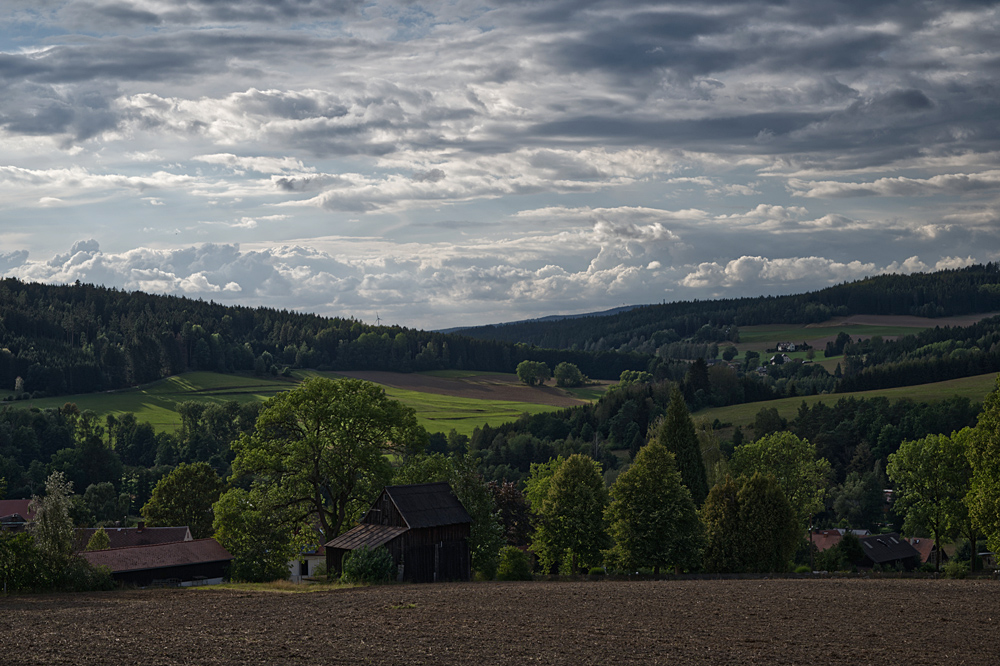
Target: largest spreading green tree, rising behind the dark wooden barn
[{"x": 319, "y": 450}]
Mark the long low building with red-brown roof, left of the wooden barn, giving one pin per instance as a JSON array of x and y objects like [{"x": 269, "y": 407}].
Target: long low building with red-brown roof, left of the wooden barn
[{"x": 200, "y": 561}]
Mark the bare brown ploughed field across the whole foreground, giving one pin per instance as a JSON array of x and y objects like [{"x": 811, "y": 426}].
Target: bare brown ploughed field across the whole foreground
[{"x": 842, "y": 621}]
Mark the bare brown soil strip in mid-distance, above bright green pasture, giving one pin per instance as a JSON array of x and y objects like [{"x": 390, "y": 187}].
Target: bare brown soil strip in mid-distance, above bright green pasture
[{"x": 481, "y": 387}]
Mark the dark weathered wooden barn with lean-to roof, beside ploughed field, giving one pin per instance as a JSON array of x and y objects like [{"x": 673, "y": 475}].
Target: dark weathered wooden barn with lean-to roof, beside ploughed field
[{"x": 424, "y": 527}]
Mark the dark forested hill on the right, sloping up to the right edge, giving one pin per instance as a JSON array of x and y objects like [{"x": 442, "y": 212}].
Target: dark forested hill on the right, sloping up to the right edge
[{"x": 946, "y": 293}]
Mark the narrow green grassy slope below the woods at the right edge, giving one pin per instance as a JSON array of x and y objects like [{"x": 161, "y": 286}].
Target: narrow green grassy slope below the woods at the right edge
[{"x": 975, "y": 388}]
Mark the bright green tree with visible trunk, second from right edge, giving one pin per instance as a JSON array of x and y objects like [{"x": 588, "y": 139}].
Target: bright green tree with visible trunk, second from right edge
[{"x": 931, "y": 477}]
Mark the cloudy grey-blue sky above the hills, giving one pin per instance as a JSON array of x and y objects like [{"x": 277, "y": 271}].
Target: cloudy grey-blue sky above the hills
[{"x": 460, "y": 163}]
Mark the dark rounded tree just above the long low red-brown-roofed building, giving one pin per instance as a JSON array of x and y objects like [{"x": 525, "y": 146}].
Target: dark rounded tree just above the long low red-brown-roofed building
[{"x": 185, "y": 497}]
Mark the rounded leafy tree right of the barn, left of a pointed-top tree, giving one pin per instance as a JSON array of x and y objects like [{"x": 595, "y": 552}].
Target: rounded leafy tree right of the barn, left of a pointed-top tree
[{"x": 570, "y": 529}]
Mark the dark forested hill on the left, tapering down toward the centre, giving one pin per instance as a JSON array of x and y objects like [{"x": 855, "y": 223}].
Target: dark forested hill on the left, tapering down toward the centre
[{"x": 82, "y": 338}]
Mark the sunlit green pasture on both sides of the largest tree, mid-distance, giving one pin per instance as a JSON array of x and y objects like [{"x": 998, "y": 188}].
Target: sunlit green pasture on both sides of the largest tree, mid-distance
[{"x": 156, "y": 402}]
